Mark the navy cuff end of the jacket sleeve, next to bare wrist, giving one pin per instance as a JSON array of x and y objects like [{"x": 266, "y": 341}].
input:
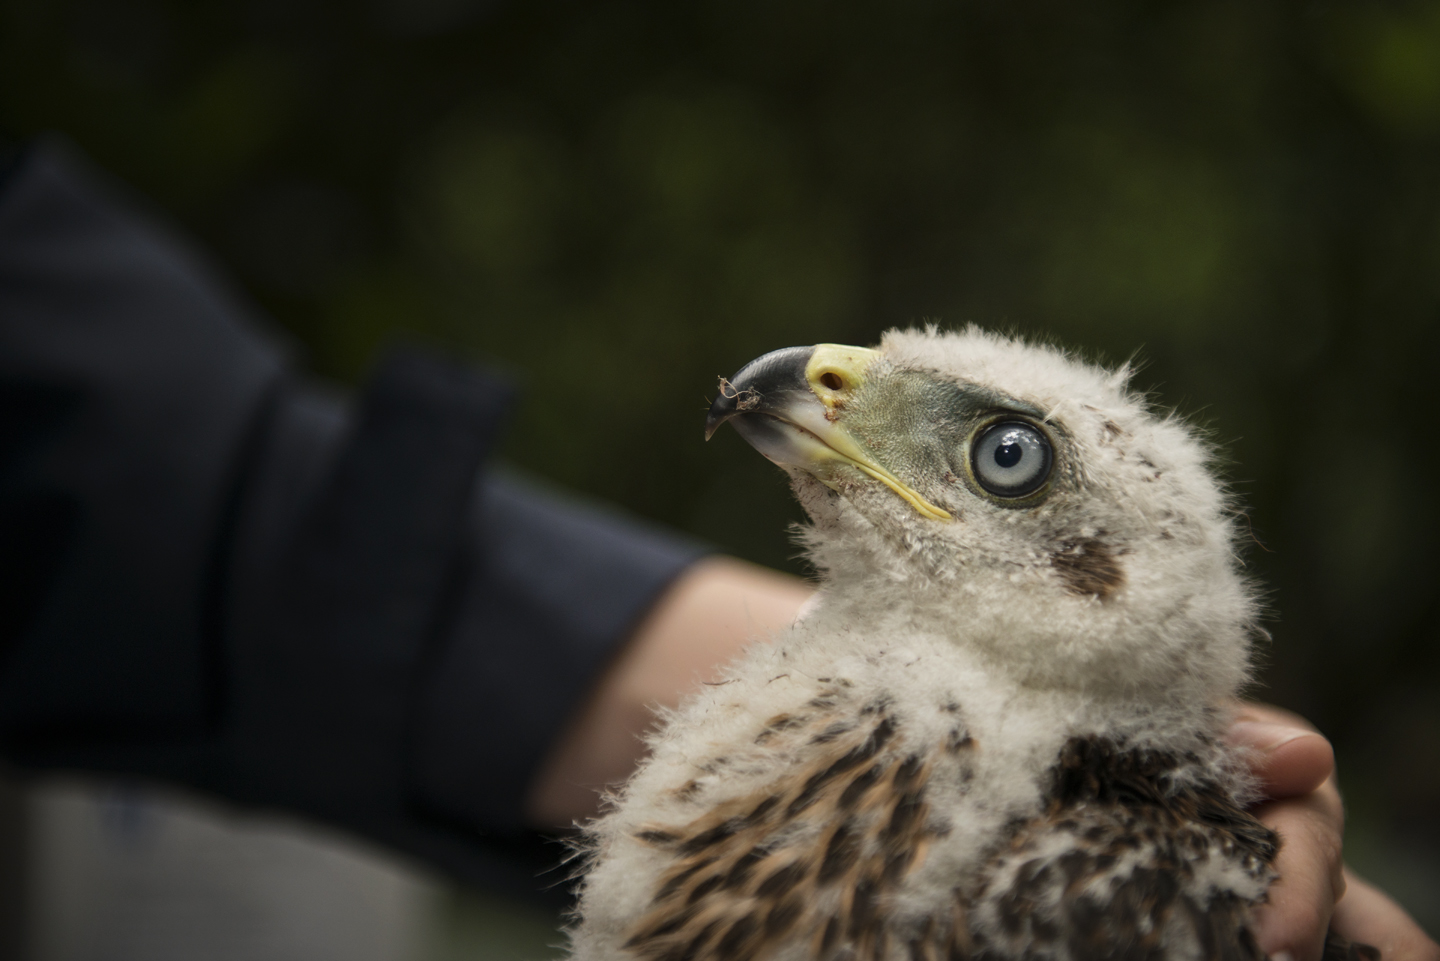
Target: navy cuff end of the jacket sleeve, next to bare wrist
[{"x": 548, "y": 593}]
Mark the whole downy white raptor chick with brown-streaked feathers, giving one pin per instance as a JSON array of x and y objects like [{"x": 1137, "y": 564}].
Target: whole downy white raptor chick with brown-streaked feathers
[{"x": 999, "y": 736}]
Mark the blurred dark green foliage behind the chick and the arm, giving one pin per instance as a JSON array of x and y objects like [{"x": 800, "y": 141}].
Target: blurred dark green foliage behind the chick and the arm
[{"x": 618, "y": 201}]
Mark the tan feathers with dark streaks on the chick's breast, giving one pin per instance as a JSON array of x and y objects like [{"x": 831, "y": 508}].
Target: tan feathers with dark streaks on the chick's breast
[{"x": 811, "y": 859}]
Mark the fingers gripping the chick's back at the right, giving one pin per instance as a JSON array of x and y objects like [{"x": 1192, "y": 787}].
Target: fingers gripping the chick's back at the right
[{"x": 1297, "y": 772}]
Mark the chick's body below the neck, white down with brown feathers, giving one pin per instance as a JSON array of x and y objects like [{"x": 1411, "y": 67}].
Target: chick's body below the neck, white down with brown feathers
[{"x": 899, "y": 806}]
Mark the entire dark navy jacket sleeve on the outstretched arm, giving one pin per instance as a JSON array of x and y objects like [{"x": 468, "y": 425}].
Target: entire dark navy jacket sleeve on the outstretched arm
[{"x": 217, "y": 576}]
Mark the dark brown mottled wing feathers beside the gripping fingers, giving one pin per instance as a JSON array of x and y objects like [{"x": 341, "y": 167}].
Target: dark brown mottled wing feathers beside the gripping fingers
[{"x": 1112, "y": 870}]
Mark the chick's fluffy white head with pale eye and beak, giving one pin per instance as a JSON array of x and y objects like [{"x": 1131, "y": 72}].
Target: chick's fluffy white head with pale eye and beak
[{"x": 1010, "y": 498}]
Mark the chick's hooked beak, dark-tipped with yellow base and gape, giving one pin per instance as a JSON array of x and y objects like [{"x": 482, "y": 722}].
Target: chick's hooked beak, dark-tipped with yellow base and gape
[{"x": 787, "y": 406}]
